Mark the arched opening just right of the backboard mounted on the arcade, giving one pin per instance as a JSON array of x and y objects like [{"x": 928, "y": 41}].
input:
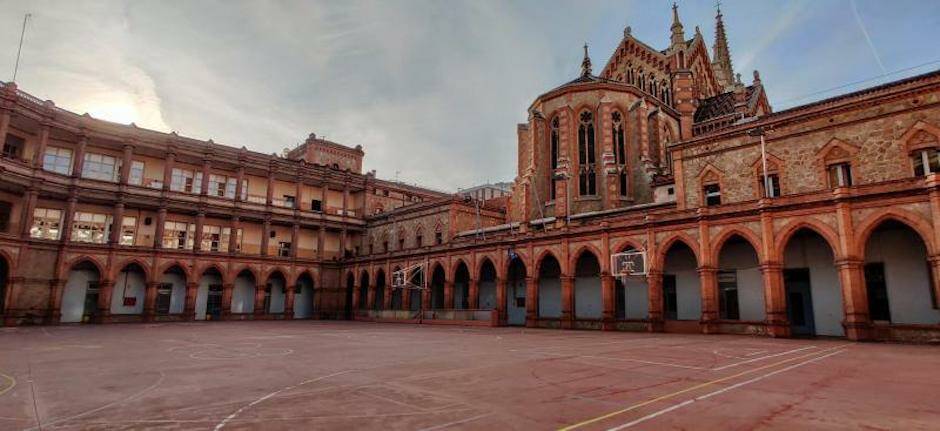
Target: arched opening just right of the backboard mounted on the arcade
[{"x": 682, "y": 295}]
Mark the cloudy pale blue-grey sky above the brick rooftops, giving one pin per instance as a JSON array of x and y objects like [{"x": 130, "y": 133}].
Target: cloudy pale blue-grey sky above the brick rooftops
[{"x": 432, "y": 90}]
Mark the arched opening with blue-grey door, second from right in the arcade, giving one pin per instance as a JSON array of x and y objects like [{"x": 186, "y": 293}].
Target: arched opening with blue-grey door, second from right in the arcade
[{"x": 811, "y": 282}]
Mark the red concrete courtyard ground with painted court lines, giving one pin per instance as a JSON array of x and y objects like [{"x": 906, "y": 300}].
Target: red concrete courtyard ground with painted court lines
[{"x": 348, "y": 375}]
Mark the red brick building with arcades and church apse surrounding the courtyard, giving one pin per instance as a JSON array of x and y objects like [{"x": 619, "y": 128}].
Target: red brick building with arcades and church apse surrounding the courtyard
[{"x": 830, "y": 230}]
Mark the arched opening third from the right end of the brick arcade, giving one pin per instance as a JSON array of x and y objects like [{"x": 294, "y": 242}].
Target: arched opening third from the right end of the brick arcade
[{"x": 740, "y": 282}]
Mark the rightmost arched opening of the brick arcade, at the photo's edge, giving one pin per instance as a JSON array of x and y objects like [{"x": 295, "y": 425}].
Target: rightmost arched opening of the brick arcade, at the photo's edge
[{"x": 897, "y": 276}]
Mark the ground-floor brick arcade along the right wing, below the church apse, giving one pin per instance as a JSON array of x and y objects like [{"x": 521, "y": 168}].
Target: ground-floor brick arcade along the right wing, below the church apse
[{"x": 807, "y": 281}]
